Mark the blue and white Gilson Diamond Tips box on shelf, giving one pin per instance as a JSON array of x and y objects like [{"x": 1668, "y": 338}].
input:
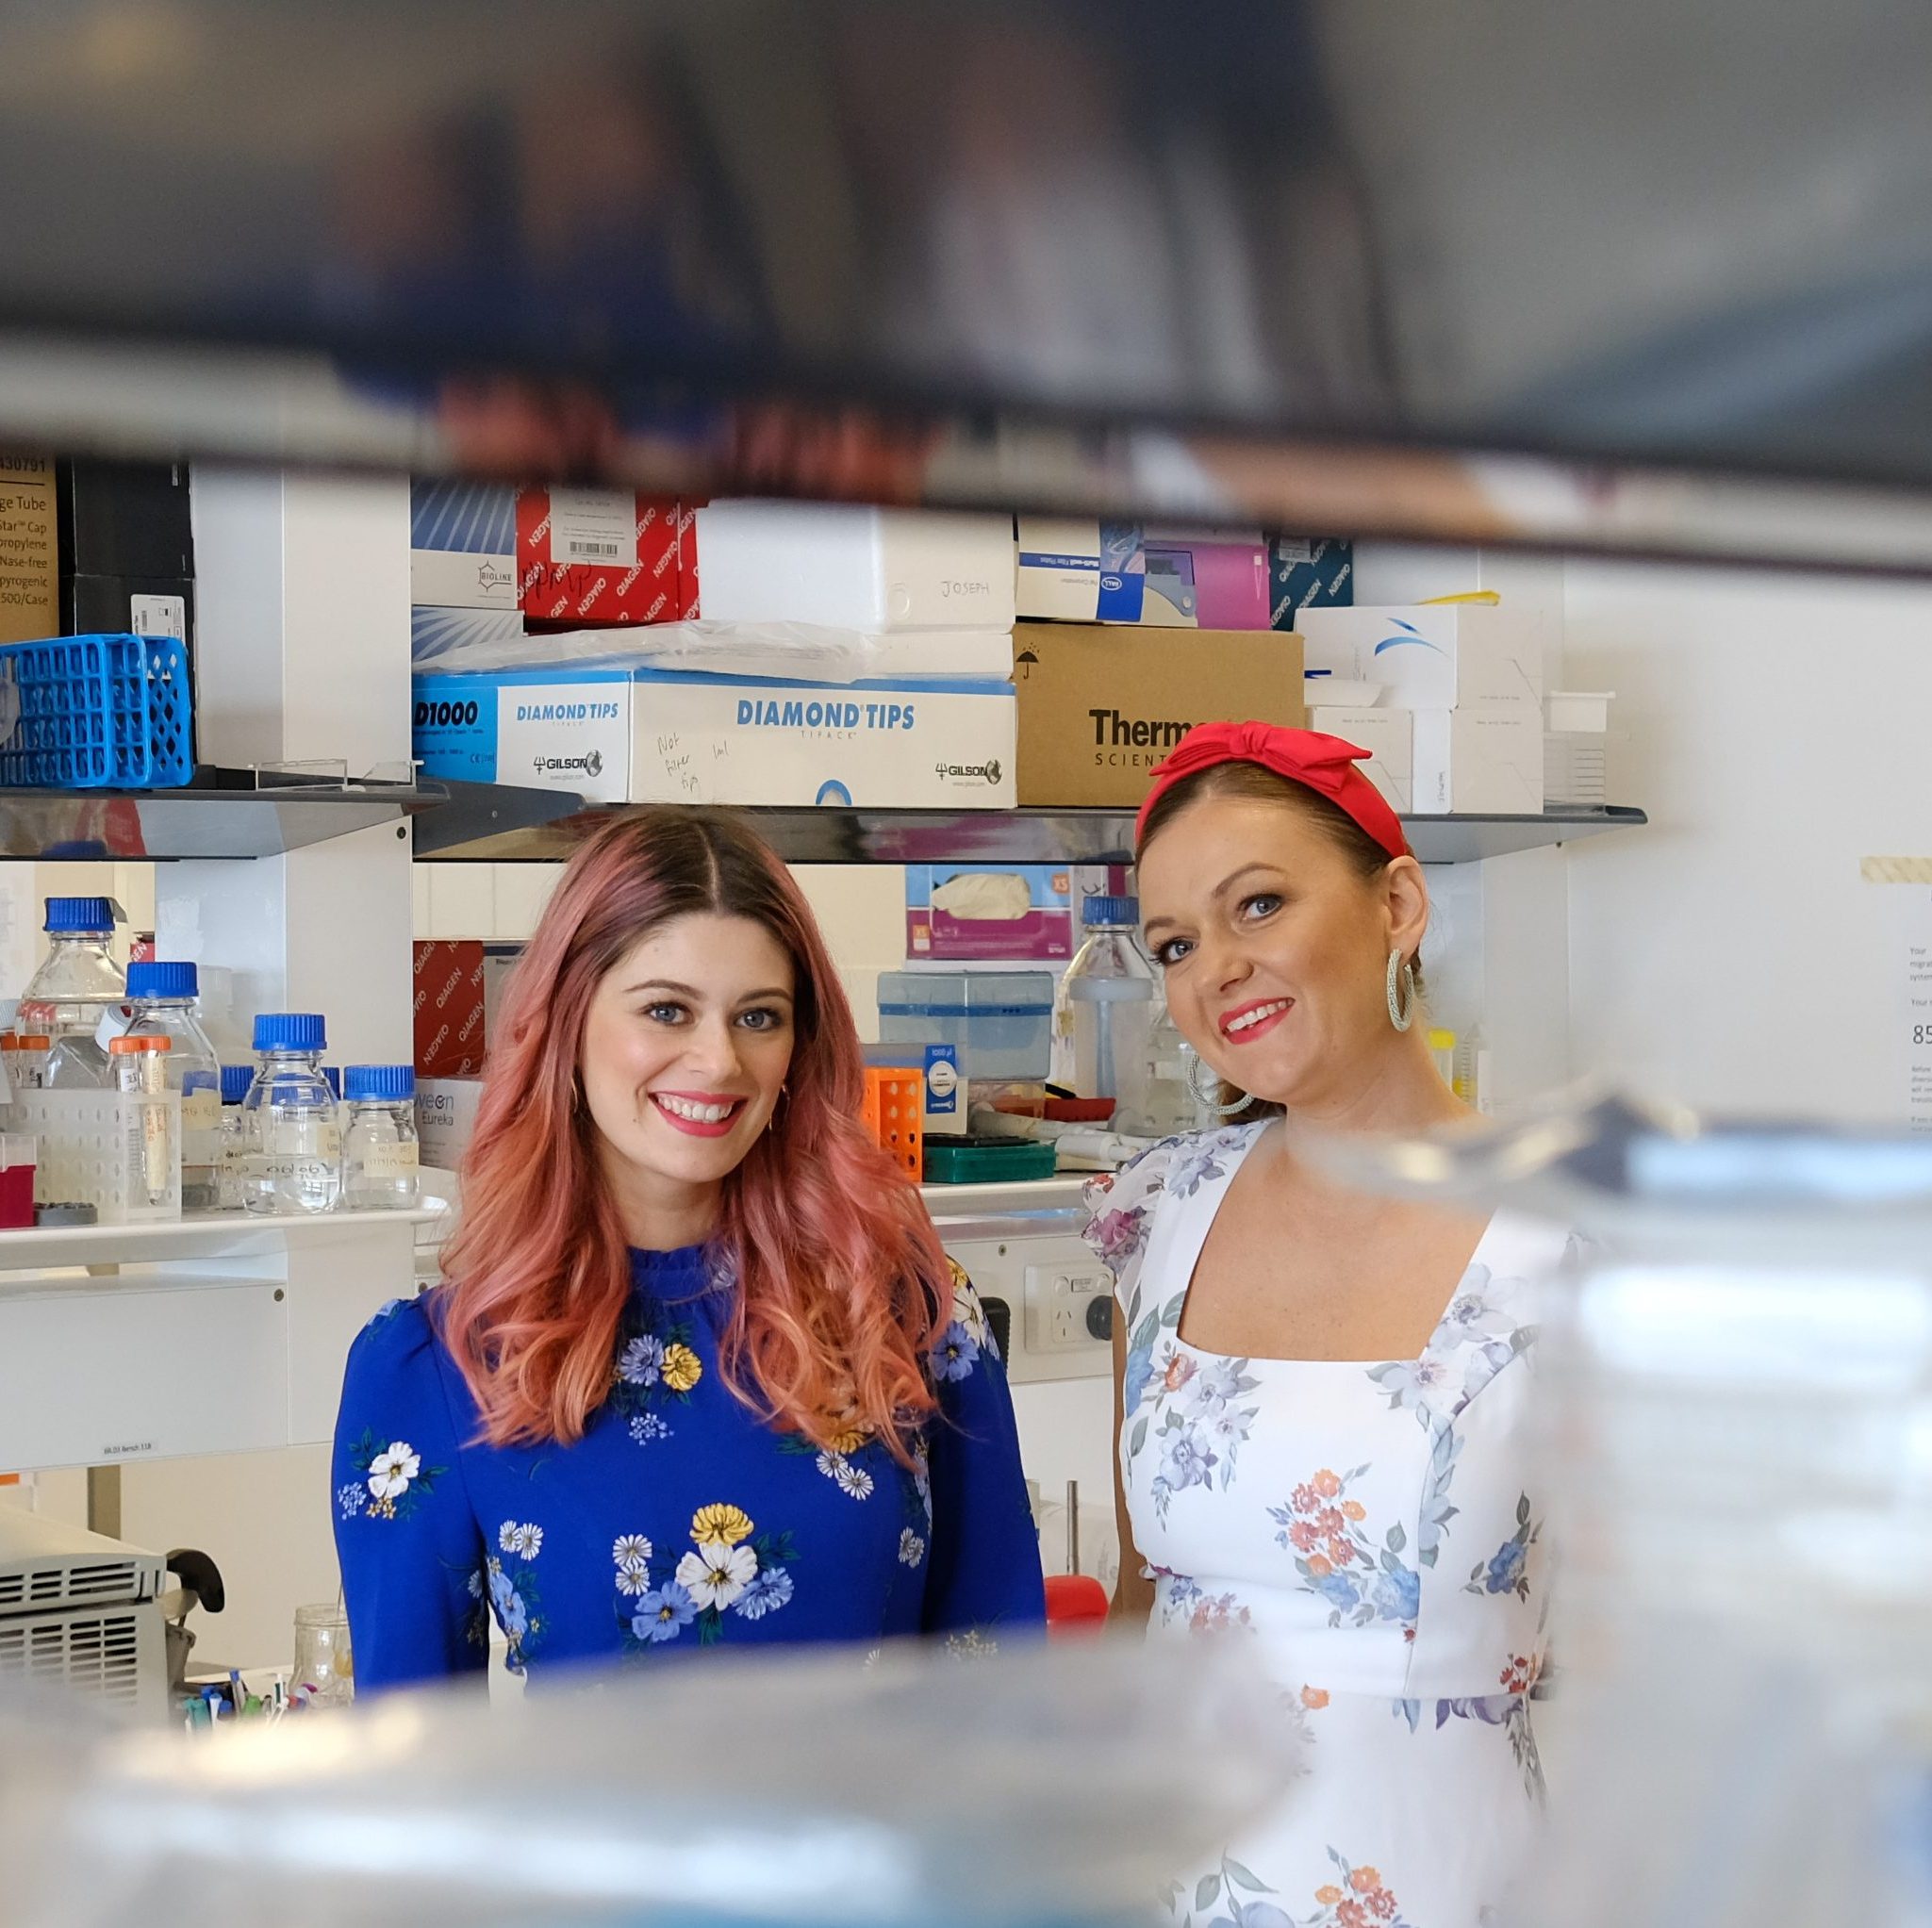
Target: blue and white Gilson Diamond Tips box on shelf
[{"x": 652, "y": 737}]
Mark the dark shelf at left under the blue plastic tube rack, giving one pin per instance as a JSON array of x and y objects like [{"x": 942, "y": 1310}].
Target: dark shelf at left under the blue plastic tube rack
[{"x": 221, "y": 814}]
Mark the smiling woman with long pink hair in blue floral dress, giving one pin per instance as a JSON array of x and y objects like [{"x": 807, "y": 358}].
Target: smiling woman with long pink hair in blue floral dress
[{"x": 700, "y": 1371}]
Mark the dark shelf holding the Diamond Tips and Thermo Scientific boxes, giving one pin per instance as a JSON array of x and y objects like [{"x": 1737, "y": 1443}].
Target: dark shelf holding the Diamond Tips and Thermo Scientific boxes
[{"x": 497, "y": 824}]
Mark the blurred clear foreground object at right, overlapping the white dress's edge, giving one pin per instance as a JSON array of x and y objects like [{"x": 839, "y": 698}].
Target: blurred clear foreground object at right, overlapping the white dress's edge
[{"x": 1740, "y": 1400}]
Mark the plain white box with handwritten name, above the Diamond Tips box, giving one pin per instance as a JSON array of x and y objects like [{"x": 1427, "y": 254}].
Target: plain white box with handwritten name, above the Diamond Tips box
[{"x": 865, "y": 569}]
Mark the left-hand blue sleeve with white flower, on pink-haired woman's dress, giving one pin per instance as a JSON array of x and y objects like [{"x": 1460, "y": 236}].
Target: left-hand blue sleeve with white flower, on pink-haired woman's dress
[{"x": 416, "y": 1572}]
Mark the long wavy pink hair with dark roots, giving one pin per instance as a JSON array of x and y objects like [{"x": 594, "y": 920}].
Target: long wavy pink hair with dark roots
[{"x": 841, "y": 1282}]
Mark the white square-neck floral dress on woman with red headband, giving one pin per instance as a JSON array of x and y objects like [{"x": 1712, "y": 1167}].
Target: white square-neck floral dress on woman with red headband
[{"x": 1377, "y": 1531}]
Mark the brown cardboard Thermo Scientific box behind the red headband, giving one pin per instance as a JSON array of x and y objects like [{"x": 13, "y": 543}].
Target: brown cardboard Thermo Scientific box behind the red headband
[{"x": 1102, "y": 706}]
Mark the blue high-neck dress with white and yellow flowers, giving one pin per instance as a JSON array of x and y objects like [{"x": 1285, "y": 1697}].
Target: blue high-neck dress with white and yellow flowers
[{"x": 679, "y": 1519}]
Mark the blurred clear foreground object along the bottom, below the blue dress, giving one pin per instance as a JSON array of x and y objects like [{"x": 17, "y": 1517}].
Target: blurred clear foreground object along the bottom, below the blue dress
[{"x": 1042, "y": 1788}]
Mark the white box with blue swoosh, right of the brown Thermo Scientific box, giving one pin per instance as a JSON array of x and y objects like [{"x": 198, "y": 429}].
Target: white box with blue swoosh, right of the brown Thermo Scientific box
[{"x": 1433, "y": 656}]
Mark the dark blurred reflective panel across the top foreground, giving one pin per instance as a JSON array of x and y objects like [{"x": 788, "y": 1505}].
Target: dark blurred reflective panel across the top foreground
[{"x": 1653, "y": 277}]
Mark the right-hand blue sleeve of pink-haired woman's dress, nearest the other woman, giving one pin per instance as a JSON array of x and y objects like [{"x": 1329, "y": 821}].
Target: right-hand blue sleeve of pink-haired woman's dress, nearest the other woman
[{"x": 984, "y": 1568}]
